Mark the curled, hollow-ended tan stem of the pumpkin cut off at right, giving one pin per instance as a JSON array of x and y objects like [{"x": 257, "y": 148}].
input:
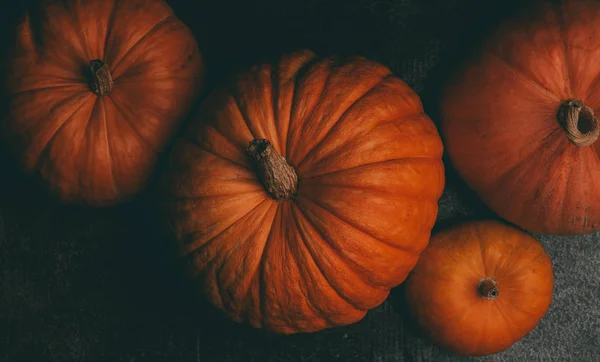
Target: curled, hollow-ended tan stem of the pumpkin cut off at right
[{"x": 579, "y": 122}]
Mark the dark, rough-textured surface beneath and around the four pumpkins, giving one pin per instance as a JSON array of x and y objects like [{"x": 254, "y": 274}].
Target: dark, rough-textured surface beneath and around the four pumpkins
[{"x": 84, "y": 285}]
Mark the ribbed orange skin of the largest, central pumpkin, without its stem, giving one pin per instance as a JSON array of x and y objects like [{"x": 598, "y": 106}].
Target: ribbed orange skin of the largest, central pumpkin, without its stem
[{"x": 370, "y": 170}]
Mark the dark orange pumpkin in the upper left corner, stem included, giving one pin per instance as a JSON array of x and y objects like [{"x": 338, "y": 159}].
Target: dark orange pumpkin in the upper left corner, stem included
[{"x": 99, "y": 147}]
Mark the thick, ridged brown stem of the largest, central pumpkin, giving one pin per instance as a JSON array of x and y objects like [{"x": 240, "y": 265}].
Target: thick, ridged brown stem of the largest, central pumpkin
[{"x": 277, "y": 176}]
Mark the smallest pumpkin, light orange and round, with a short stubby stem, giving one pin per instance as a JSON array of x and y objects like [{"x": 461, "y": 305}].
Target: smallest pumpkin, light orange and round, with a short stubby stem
[{"x": 449, "y": 298}]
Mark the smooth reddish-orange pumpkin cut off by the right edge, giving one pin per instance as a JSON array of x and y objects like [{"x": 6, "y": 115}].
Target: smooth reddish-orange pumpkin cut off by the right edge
[{"x": 502, "y": 125}]
